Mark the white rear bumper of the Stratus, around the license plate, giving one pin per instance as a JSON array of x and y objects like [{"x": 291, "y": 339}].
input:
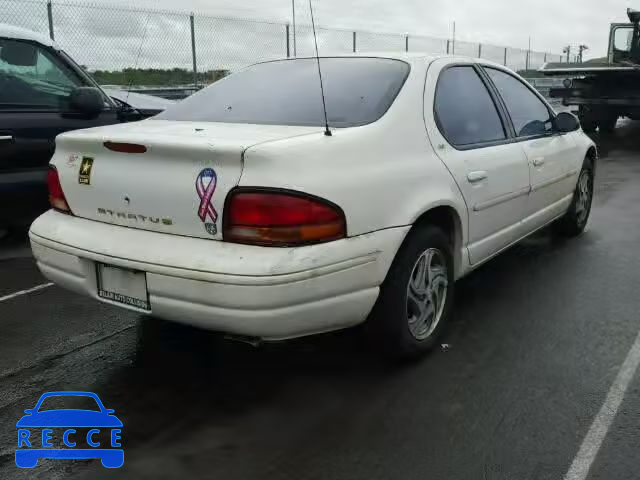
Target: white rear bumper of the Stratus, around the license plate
[{"x": 272, "y": 293}]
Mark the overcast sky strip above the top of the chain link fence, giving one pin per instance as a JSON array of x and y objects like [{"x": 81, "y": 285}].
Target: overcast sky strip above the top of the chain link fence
[{"x": 551, "y": 24}]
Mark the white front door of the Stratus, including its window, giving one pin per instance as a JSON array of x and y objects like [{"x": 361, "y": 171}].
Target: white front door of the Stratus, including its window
[{"x": 551, "y": 155}]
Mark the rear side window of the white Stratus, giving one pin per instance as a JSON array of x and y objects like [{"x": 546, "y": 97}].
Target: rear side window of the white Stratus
[{"x": 465, "y": 112}]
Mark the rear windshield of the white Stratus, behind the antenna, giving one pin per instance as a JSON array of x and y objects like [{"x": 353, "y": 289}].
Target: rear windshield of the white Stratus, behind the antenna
[{"x": 358, "y": 91}]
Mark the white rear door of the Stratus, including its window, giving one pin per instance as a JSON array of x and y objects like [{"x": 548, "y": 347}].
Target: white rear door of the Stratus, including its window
[{"x": 469, "y": 132}]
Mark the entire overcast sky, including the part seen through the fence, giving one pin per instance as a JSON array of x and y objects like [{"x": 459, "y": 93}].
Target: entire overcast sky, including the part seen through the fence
[{"x": 102, "y": 37}]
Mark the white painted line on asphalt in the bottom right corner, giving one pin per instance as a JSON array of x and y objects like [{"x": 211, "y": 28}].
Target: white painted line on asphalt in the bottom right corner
[{"x": 601, "y": 424}]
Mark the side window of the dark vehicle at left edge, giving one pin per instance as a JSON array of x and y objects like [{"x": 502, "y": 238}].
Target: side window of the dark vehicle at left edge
[{"x": 32, "y": 77}]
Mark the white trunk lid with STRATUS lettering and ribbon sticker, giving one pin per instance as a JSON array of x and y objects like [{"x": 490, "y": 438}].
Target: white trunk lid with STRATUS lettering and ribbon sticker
[{"x": 177, "y": 186}]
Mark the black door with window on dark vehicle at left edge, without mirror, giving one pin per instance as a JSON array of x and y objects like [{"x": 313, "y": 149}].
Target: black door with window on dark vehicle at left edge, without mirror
[{"x": 35, "y": 82}]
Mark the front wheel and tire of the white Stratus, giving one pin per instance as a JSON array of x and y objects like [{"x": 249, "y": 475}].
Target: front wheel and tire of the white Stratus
[{"x": 575, "y": 220}]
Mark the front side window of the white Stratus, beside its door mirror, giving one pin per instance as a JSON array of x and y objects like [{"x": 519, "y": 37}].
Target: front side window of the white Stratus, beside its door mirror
[{"x": 530, "y": 116}]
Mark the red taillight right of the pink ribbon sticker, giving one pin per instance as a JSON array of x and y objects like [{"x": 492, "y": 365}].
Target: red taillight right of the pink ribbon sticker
[{"x": 276, "y": 218}]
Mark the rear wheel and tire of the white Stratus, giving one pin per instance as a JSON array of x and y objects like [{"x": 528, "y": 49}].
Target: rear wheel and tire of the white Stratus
[{"x": 414, "y": 305}]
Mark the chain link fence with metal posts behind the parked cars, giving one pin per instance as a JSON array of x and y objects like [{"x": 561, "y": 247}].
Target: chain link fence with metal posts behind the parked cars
[{"x": 166, "y": 48}]
